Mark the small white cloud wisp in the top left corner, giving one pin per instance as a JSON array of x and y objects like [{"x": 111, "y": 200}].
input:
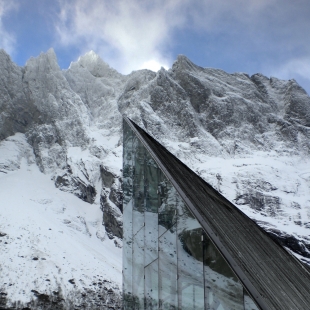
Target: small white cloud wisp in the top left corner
[{"x": 7, "y": 39}]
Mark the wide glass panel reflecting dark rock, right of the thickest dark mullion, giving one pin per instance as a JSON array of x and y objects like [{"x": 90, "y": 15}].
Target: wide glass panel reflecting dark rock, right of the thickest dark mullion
[{"x": 223, "y": 290}]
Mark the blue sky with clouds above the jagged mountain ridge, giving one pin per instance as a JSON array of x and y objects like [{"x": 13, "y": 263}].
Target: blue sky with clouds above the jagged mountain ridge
[{"x": 271, "y": 37}]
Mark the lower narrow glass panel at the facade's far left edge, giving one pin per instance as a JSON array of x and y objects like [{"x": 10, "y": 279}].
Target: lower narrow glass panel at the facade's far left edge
[{"x": 127, "y": 257}]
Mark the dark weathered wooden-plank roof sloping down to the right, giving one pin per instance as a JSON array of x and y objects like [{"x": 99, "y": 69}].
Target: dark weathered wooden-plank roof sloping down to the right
[{"x": 274, "y": 278}]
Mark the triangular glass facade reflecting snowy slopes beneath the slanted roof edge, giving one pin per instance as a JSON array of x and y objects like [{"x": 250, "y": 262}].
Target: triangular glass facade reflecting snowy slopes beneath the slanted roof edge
[{"x": 169, "y": 262}]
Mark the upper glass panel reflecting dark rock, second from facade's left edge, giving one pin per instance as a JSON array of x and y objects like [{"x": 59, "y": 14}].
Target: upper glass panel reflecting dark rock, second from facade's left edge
[{"x": 138, "y": 185}]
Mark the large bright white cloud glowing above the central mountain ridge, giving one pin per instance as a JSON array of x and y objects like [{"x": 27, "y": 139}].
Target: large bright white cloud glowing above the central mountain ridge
[{"x": 126, "y": 34}]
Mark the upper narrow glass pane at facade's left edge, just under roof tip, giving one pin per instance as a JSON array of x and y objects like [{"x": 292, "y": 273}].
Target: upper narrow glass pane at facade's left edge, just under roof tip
[{"x": 127, "y": 164}]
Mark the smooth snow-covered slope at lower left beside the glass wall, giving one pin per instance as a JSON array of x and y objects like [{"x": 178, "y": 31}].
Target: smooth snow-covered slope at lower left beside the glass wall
[{"x": 49, "y": 238}]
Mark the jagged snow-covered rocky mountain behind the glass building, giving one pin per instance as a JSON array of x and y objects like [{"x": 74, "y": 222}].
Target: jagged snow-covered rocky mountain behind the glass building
[{"x": 61, "y": 160}]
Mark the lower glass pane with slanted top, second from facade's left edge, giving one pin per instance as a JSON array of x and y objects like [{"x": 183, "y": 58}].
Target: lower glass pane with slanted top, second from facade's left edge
[{"x": 138, "y": 270}]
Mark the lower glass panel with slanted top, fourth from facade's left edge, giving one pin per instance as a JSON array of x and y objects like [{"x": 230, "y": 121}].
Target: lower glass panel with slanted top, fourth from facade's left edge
[{"x": 168, "y": 270}]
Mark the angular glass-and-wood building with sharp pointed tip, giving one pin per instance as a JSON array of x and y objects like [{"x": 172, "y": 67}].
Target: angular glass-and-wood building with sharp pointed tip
[{"x": 187, "y": 247}]
